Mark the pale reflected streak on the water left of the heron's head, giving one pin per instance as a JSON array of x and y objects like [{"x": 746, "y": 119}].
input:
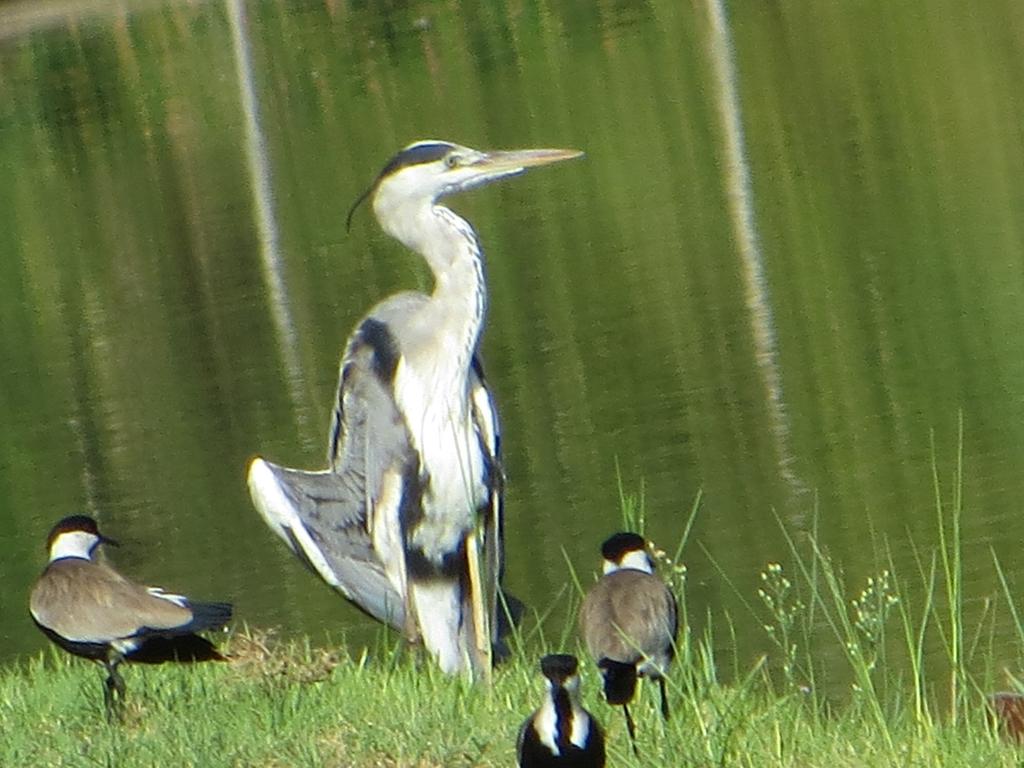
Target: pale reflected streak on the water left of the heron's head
[{"x": 260, "y": 174}]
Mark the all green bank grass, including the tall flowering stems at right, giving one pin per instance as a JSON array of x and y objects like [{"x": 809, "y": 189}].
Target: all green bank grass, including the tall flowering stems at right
[{"x": 856, "y": 677}]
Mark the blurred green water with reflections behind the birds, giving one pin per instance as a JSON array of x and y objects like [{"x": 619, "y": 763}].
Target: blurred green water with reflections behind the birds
[{"x": 155, "y": 336}]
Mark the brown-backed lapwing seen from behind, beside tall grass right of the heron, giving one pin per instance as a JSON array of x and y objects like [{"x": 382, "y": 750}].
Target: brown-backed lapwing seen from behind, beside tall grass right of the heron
[{"x": 629, "y": 621}]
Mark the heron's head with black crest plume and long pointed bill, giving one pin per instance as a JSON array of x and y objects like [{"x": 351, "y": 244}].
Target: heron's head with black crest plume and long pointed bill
[{"x": 426, "y": 172}]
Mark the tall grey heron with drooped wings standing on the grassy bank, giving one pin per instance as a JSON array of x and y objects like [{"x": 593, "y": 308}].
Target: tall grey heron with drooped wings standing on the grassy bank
[{"x": 407, "y": 521}]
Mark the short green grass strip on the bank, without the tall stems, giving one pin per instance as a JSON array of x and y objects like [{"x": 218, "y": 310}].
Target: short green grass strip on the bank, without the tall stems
[{"x": 291, "y": 705}]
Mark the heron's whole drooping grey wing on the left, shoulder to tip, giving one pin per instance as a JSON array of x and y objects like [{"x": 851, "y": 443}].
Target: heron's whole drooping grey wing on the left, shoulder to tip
[{"x": 340, "y": 521}]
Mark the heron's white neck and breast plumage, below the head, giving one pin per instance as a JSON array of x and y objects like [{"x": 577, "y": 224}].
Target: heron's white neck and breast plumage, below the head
[{"x": 437, "y": 338}]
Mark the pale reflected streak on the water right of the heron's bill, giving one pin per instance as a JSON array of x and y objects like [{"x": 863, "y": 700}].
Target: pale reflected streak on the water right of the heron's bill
[{"x": 741, "y": 202}]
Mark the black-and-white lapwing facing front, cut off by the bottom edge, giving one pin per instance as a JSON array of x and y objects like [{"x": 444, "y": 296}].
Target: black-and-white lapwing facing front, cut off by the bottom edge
[{"x": 562, "y": 734}]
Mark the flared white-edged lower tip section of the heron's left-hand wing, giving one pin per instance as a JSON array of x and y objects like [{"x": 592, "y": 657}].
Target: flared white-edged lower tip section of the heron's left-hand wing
[{"x": 315, "y": 515}]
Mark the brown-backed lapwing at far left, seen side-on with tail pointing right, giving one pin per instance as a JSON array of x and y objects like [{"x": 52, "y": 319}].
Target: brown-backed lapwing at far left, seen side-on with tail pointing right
[{"x": 92, "y": 611}]
